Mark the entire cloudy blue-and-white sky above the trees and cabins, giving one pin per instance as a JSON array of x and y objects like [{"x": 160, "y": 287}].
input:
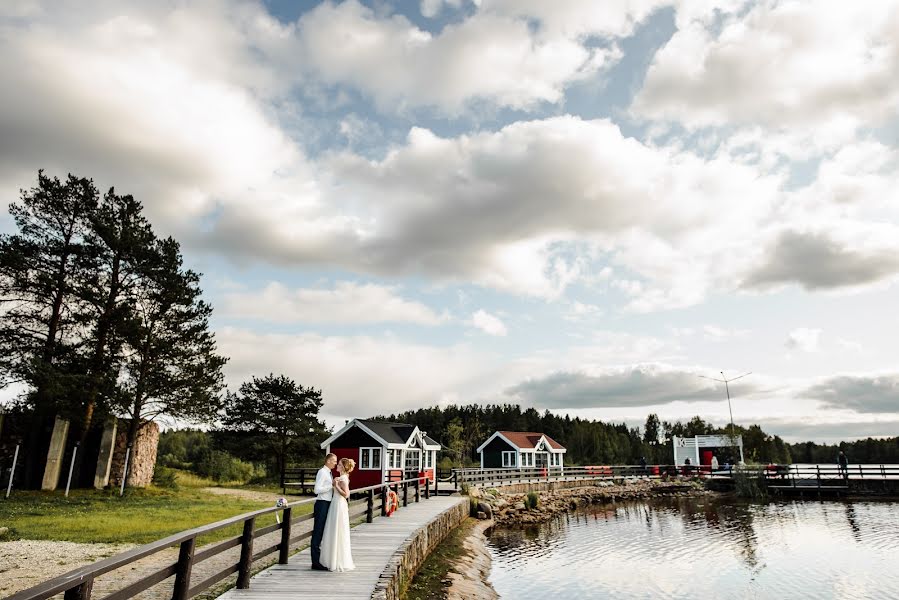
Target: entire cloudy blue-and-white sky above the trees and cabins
[{"x": 578, "y": 206}]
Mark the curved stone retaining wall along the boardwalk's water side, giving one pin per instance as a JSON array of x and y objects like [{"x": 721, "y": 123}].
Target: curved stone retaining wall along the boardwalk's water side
[{"x": 409, "y": 557}]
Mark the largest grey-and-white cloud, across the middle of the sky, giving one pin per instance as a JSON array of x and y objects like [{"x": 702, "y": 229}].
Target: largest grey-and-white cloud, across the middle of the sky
[{"x": 523, "y": 208}]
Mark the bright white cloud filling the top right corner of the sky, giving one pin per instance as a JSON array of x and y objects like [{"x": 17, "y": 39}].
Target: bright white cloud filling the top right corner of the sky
[{"x": 816, "y": 65}]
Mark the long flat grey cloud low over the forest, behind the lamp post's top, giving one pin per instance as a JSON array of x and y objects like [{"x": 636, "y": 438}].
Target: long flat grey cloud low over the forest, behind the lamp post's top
[{"x": 632, "y": 386}]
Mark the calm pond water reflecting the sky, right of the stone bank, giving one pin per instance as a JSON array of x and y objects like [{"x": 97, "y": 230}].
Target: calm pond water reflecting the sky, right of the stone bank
[{"x": 704, "y": 548}]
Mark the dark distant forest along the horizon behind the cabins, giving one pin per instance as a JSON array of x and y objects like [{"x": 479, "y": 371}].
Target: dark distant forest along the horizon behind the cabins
[{"x": 461, "y": 429}]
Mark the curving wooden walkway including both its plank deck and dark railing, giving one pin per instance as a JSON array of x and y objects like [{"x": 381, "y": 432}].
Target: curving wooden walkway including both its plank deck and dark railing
[{"x": 203, "y": 570}]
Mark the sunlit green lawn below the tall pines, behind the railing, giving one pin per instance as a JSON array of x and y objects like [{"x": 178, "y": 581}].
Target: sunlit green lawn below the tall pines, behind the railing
[{"x": 141, "y": 516}]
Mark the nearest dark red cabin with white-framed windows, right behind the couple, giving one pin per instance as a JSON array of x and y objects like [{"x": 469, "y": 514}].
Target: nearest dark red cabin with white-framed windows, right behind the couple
[{"x": 384, "y": 451}]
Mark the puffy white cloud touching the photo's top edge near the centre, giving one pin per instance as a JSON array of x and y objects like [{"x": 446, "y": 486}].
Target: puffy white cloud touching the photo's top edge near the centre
[{"x": 487, "y": 56}]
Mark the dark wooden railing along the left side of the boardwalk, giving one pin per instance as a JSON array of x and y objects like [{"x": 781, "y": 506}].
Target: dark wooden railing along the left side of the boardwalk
[{"x": 78, "y": 584}]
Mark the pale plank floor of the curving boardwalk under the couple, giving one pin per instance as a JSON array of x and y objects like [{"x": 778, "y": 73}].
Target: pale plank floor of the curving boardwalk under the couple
[{"x": 373, "y": 546}]
